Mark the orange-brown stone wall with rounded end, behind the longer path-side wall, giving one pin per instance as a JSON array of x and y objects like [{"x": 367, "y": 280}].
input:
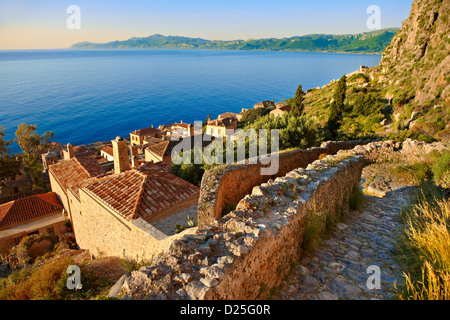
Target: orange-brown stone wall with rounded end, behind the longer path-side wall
[{"x": 218, "y": 188}]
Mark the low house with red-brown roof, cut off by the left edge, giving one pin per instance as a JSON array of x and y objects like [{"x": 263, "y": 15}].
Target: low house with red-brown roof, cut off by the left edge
[{"x": 36, "y": 214}]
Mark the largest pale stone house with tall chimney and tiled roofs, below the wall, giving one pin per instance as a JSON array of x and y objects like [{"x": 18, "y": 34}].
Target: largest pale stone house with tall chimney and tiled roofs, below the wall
[{"x": 113, "y": 212}]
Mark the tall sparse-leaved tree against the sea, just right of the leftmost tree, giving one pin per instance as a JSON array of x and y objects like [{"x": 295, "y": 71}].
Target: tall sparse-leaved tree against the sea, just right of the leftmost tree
[{"x": 32, "y": 144}]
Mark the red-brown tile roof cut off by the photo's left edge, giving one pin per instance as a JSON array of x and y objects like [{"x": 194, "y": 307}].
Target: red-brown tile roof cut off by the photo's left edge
[{"x": 29, "y": 208}]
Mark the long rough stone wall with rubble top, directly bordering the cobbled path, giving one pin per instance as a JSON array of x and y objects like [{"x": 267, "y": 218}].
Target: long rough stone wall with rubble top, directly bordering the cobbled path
[{"x": 249, "y": 251}]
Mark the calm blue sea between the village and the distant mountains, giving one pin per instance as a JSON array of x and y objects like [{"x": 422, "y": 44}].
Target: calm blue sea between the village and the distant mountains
[{"x": 89, "y": 96}]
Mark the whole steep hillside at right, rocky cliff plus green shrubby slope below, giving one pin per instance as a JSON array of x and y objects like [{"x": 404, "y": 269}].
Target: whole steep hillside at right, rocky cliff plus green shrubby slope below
[{"x": 411, "y": 80}]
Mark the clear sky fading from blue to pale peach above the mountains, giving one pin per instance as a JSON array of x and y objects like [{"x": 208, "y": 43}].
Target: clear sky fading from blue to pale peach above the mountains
[{"x": 42, "y": 24}]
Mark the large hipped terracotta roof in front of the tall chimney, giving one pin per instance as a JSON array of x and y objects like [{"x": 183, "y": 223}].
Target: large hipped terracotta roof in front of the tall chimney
[{"x": 144, "y": 192}]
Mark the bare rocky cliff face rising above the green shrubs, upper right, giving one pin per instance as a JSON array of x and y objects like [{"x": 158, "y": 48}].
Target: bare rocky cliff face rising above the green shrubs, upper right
[{"x": 415, "y": 67}]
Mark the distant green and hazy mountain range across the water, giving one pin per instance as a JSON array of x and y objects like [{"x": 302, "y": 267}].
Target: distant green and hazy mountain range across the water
[{"x": 368, "y": 42}]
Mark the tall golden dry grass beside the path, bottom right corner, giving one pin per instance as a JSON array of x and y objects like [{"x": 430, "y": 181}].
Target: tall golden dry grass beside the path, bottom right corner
[{"x": 427, "y": 251}]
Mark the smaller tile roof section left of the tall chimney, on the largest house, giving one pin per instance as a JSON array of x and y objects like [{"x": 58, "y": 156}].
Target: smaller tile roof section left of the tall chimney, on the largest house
[{"x": 76, "y": 170}]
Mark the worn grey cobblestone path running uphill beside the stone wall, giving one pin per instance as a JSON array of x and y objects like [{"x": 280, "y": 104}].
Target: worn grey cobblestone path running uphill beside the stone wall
[{"x": 338, "y": 268}]
